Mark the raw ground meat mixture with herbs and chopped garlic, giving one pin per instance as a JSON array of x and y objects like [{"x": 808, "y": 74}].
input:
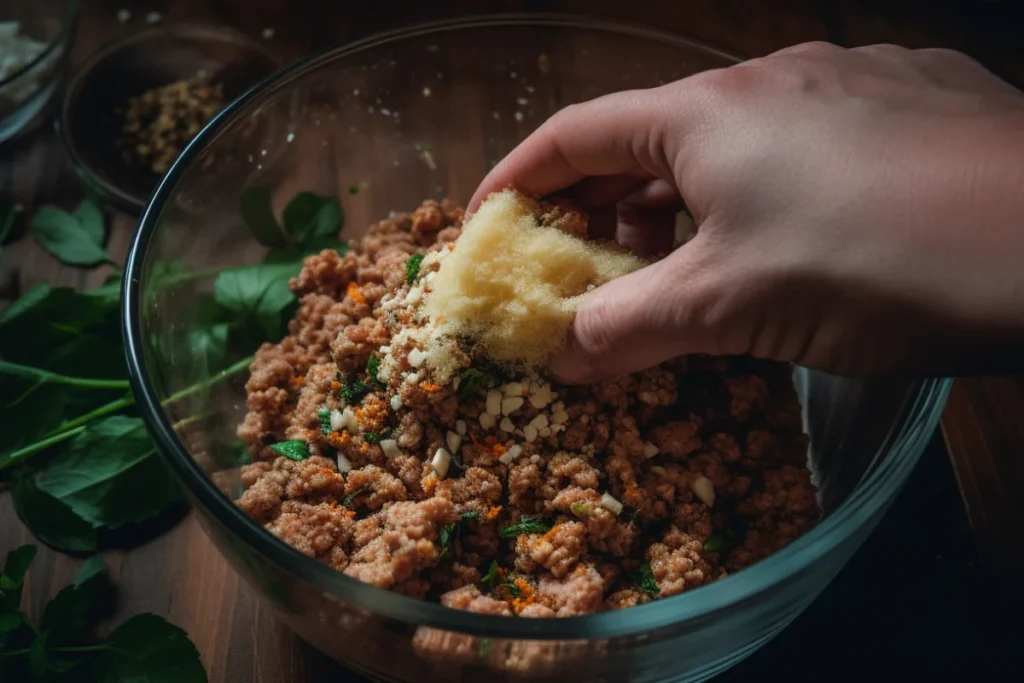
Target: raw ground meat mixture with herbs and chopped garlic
[{"x": 498, "y": 492}]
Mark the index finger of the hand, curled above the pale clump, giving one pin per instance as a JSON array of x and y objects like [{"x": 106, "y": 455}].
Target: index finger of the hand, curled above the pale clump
[{"x": 614, "y": 136}]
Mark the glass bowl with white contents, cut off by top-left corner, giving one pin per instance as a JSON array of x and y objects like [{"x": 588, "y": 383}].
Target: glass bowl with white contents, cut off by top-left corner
[{"x": 36, "y": 37}]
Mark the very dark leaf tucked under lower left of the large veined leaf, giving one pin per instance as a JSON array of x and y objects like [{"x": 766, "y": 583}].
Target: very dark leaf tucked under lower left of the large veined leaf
[{"x": 50, "y": 520}]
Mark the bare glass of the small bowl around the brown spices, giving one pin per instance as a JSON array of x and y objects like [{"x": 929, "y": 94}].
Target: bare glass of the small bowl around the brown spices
[{"x": 90, "y": 125}]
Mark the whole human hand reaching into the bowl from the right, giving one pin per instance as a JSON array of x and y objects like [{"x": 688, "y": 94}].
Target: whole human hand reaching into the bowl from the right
[{"x": 860, "y": 211}]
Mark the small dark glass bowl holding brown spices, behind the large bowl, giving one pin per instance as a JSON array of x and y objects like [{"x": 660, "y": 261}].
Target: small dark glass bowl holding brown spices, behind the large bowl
[{"x": 136, "y": 105}]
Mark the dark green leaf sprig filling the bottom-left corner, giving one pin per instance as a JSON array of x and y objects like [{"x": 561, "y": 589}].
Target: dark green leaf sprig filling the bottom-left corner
[{"x": 61, "y": 648}]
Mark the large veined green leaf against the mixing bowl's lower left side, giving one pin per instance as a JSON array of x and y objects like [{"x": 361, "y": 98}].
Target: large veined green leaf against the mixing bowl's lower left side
[{"x": 102, "y": 473}]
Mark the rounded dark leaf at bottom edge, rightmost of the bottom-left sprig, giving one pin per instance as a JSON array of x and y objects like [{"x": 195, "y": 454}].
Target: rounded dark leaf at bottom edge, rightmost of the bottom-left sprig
[{"x": 148, "y": 650}]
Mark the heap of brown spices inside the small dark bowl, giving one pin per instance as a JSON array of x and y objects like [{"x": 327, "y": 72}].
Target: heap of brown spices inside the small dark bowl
[{"x": 160, "y": 123}]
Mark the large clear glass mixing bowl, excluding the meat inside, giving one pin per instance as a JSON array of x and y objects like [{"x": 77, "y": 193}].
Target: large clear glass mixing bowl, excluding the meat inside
[{"x": 385, "y": 123}]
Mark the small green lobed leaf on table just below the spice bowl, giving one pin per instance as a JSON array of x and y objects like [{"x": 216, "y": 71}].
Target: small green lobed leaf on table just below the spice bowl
[{"x": 75, "y": 240}]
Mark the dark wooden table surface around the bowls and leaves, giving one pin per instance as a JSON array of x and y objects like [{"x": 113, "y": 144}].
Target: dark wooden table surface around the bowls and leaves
[{"x": 181, "y": 575}]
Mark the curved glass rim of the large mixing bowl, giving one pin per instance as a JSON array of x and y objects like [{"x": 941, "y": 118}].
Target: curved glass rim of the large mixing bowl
[{"x": 874, "y": 494}]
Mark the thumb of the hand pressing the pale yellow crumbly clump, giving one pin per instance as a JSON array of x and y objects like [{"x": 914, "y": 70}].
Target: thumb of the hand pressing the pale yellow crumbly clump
[{"x": 631, "y": 324}]
